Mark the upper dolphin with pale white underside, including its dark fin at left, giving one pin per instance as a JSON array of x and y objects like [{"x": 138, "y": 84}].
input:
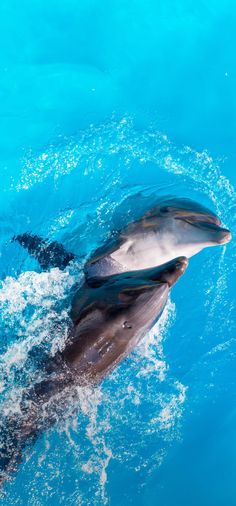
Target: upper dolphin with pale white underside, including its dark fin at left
[{"x": 173, "y": 227}]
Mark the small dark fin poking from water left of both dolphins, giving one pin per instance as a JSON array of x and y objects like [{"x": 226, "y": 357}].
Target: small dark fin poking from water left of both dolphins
[{"x": 48, "y": 254}]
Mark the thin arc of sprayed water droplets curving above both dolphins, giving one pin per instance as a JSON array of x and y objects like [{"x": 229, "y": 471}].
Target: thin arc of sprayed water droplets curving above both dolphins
[{"x": 87, "y": 155}]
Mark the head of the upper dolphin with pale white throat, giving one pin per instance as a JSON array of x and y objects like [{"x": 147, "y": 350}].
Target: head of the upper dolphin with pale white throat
[{"x": 184, "y": 227}]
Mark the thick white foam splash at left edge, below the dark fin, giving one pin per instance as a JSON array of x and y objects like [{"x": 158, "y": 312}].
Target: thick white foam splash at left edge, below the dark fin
[{"x": 29, "y": 308}]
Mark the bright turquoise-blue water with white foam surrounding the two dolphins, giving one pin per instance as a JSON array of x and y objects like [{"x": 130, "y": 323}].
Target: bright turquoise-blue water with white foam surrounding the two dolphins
[{"x": 102, "y": 102}]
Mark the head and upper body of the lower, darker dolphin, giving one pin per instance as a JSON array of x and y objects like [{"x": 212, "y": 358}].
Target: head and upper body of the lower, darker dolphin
[{"x": 114, "y": 313}]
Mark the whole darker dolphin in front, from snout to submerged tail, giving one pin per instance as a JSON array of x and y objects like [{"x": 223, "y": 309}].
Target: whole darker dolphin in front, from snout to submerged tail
[{"x": 110, "y": 316}]
